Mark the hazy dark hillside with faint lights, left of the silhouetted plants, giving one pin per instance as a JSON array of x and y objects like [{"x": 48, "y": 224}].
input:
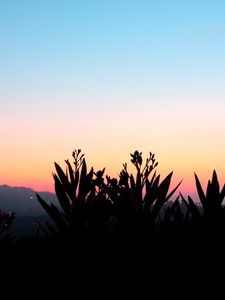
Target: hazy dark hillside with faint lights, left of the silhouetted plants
[{"x": 28, "y": 212}]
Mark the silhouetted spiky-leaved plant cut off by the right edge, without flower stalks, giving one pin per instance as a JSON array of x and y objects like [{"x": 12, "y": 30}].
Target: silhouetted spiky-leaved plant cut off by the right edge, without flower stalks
[{"x": 206, "y": 221}]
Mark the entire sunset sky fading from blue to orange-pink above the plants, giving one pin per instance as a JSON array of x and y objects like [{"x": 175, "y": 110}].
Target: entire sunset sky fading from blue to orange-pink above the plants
[{"x": 111, "y": 77}]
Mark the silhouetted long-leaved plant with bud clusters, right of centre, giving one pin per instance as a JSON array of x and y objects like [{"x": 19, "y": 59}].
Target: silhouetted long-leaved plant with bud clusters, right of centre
[{"x": 142, "y": 197}]
